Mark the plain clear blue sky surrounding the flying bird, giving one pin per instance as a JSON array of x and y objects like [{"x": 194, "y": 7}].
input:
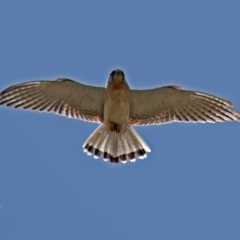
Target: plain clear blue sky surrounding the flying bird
[{"x": 187, "y": 188}]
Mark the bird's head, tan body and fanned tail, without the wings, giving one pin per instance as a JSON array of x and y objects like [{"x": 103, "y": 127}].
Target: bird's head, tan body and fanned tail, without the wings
[{"x": 115, "y": 139}]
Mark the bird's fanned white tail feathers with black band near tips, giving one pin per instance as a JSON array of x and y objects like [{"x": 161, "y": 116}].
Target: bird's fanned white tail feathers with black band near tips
[{"x": 116, "y": 146}]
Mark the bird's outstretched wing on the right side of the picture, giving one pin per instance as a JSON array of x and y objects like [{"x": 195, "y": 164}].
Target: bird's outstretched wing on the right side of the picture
[{"x": 172, "y": 103}]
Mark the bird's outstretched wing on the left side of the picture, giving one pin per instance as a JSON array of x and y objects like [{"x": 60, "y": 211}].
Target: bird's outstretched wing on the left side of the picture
[{"x": 62, "y": 96}]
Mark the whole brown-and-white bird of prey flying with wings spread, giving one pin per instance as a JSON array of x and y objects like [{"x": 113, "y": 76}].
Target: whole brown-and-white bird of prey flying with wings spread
[{"x": 116, "y": 107}]
